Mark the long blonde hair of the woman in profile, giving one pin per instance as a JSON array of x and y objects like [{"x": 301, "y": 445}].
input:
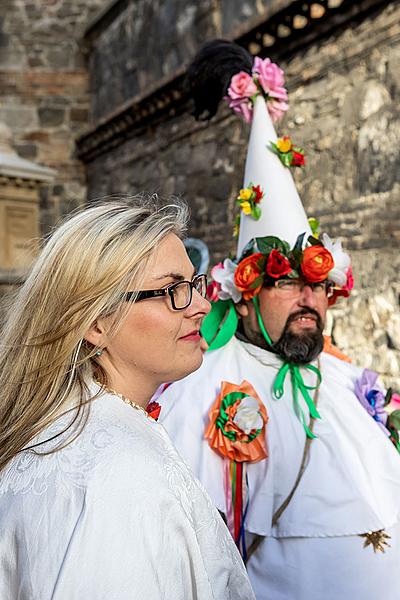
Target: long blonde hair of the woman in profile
[{"x": 86, "y": 266}]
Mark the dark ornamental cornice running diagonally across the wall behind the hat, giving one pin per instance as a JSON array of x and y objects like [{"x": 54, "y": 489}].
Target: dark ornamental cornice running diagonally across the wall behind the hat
[{"x": 294, "y": 26}]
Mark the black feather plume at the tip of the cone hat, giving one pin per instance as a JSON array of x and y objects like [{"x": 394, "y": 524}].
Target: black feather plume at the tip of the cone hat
[{"x": 210, "y": 73}]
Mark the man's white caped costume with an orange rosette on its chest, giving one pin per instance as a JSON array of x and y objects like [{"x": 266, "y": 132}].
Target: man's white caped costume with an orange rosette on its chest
[{"x": 351, "y": 484}]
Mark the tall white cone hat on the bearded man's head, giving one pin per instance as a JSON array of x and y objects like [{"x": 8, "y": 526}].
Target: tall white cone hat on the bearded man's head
[{"x": 282, "y": 213}]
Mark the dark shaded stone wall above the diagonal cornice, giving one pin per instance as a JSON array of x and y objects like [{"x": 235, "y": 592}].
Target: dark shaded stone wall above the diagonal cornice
[{"x": 150, "y": 39}]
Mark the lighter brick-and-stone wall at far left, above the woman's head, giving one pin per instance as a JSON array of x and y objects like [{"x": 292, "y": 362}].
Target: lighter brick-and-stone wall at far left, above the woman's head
[{"x": 44, "y": 91}]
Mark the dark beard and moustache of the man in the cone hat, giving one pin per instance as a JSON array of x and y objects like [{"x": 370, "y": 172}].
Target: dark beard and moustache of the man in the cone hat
[{"x": 300, "y": 348}]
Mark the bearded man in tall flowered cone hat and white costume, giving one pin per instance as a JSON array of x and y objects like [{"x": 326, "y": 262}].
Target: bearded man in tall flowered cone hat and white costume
[{"x": 275, "y": 428}]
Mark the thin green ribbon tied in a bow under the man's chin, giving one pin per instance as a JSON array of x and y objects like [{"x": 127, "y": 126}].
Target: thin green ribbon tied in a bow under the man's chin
[{"x": 298, "y": 385}]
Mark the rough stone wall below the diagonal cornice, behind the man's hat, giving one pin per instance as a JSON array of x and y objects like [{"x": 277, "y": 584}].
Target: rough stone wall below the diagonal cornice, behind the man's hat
[{"x": 345, "y": 96}]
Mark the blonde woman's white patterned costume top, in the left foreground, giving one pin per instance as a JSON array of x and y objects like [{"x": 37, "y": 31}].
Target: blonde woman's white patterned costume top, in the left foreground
[{"x": 115, "y": 515}]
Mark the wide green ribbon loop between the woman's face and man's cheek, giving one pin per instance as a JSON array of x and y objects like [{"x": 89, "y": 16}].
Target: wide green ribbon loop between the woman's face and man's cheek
[{"x": 220, "y": 325}]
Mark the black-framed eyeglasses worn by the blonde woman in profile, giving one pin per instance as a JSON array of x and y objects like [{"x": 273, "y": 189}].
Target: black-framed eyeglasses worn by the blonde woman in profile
[{"x": 180, "y": 293}]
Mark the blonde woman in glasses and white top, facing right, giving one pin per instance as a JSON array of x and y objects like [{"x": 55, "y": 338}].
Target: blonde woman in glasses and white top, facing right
[{"x": 94, "y": 501}]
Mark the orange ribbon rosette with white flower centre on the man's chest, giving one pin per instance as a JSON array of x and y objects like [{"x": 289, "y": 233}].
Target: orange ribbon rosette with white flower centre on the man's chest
[{"x": 230, "y": 431}]
